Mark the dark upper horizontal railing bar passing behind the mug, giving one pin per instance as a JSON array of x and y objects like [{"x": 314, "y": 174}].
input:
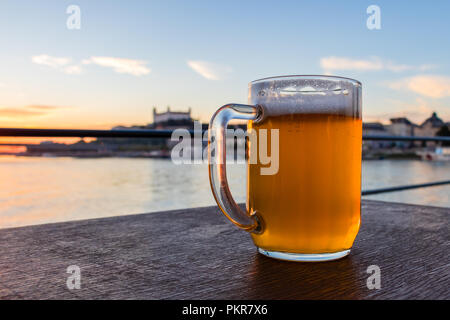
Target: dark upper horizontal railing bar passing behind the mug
[{"x": 152, "y": 133}]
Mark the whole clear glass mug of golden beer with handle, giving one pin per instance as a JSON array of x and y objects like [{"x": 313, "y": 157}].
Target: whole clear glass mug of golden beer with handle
[{"x": 309, "y": 209}]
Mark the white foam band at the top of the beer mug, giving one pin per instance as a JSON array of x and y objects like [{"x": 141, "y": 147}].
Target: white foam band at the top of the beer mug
[{"x": 306, "y": 96}]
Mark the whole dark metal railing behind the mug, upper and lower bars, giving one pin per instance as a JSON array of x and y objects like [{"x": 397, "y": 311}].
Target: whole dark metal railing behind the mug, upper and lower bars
[{"x": 151, "y": 133}]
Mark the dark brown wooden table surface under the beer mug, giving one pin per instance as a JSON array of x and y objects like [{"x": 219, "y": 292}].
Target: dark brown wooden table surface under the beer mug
[{"x": 197, "y": 254}]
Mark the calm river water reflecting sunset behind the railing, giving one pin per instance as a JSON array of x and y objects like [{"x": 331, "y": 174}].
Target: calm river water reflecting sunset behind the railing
[{"x": 35, "y": 190}]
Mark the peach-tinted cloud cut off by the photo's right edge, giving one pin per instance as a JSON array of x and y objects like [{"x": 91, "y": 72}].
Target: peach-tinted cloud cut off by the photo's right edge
[{"x": 433, "y": 86}]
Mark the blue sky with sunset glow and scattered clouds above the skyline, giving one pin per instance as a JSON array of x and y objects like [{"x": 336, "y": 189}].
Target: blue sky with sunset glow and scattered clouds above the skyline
[{"x": 129, "y": 56}]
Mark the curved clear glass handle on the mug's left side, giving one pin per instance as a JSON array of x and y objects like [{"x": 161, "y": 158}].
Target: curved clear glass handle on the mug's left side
[{"x": 217, "y": 163}]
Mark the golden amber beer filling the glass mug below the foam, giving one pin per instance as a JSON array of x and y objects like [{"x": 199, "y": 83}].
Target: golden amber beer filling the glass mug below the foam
[{"x": 312, "y": 205}]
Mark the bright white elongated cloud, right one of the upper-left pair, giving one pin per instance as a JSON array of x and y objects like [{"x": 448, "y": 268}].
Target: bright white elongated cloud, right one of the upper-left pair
[{"x": 121, "y": 65}]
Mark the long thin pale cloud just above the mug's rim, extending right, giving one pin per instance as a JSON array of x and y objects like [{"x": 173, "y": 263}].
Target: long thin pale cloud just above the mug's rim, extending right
[{"x": 332, "y": 63}]
